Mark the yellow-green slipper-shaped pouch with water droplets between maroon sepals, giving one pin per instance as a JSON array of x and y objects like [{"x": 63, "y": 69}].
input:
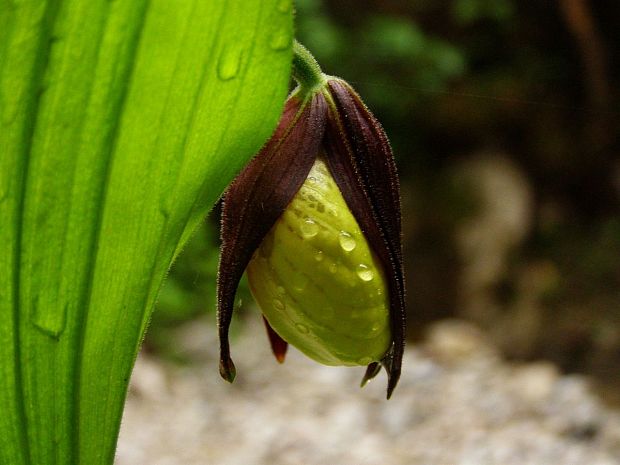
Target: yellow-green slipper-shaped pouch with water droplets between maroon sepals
[{"x": 316, "y": 280}]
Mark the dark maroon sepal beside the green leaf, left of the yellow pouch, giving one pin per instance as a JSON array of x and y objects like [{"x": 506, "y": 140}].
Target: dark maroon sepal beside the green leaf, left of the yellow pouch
[{"x": 259, "y": 196}]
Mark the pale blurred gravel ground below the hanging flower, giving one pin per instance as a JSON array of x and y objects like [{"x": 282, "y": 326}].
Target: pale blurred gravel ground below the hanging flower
[{"x": 457, "y": 403}]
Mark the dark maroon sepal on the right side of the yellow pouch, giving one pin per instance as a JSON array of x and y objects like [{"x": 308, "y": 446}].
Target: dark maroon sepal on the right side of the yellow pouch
[{"x": 361, "y": 161}]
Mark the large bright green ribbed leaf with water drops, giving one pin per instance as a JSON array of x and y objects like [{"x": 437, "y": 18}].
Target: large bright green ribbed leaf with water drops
[{"x": 121, "y": 122}]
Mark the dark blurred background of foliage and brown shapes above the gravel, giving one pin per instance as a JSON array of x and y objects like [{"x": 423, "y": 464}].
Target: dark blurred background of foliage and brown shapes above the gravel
[{"x": 504, "y": 119}]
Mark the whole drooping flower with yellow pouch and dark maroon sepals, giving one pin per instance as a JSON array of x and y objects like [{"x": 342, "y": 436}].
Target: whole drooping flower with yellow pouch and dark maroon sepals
[{"x": 315, "y": 218}]
